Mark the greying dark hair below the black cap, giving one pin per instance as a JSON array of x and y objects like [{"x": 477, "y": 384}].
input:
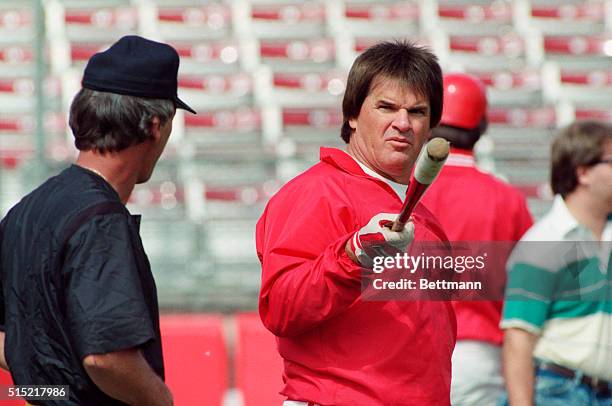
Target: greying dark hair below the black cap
[{"x": 109, "y": 122}]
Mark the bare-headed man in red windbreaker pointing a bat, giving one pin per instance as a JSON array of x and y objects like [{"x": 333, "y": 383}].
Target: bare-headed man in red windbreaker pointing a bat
[{"x": 315, "y": 238}]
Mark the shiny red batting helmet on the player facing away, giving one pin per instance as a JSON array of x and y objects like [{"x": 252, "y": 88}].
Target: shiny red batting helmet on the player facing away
[{"x": 465, "y": 101}]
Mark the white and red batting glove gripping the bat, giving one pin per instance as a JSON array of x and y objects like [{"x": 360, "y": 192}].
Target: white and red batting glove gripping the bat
[{"x": 376, "y": 239}]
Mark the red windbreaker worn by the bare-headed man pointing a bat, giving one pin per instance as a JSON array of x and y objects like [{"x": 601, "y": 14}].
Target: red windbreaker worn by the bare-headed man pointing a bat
[{"x": 337, "y": 348}]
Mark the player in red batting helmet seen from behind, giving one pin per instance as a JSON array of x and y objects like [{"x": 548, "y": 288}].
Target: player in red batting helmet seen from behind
[{"x": 473, "y": 206}]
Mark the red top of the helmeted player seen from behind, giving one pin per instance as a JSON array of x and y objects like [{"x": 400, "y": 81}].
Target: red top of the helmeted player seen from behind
[{"x": 475, "y": 206}]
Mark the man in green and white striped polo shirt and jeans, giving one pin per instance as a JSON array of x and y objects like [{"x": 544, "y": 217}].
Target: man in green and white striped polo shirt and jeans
[{"x": 557, "y": 316}]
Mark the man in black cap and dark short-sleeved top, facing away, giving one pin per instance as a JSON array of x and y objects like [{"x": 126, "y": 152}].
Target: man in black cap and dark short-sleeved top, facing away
[{"x": 78, "y": 304}]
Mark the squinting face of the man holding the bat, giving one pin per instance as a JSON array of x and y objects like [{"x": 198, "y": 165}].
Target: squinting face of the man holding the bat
[{"x": 392, "y": 126}]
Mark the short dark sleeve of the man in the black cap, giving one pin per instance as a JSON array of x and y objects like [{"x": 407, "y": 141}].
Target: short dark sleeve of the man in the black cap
[{"x": 105, "y": 305}]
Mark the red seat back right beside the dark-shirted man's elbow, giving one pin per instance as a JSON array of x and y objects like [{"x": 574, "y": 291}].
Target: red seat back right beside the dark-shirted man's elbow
[{"x": 196, "y": 358}]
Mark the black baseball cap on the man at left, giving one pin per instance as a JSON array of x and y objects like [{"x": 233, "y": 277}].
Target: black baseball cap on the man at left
[{"x": 136, "y": 66}]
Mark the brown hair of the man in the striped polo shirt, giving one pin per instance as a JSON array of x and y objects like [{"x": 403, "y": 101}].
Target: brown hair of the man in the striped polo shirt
[{"x": 578, "y": 145}]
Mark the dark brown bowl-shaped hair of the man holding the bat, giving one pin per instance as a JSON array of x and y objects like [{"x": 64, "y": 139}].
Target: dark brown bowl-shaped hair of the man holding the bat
[{"x": 412, "y": 66}]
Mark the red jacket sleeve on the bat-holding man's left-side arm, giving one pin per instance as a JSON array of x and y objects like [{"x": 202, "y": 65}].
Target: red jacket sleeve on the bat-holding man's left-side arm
[{"x": 307, "y": 278}]
